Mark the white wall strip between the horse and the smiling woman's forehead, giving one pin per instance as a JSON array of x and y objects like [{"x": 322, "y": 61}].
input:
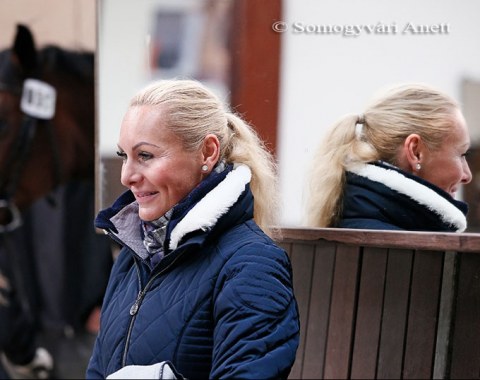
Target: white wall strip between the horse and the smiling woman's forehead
[{"x": 123, "y": 40}]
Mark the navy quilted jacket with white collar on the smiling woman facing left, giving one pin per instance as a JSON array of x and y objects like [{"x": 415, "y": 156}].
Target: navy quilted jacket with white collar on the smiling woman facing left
[{"x": 219, "y": 305}]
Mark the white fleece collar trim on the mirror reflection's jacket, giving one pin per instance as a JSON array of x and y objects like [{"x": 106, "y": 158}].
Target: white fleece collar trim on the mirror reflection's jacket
[{"x": 416, "y": 191}]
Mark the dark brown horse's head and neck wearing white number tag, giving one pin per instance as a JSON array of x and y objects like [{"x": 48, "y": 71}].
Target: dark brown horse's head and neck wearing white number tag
[{"x": 38, "y": 151}]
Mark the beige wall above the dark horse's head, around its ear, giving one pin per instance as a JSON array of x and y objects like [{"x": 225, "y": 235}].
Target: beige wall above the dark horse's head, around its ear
[{"x": 68, "y": 23}]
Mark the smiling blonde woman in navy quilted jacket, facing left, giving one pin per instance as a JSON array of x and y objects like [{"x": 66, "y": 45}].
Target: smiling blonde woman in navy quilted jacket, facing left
[{"x": 199, "y": 289}]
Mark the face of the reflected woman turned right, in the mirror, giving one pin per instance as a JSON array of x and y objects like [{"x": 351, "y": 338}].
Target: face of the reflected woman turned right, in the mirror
[{"x": 447, "y": 167}]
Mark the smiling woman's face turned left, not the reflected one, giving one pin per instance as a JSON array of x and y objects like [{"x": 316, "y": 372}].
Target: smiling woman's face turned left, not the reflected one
[{"x": 156, "y": 167}]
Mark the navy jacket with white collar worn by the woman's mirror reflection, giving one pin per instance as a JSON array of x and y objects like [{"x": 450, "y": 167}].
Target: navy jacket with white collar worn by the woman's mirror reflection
[{"x": 381, "y": 196}]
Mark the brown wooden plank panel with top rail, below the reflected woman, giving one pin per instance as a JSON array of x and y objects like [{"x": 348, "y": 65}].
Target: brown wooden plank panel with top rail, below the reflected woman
[{"x": 384, "y": 304}]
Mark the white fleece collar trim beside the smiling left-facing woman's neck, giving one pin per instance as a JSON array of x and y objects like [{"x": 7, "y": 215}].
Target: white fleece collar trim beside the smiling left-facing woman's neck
[{"x": 216, "y": 203}]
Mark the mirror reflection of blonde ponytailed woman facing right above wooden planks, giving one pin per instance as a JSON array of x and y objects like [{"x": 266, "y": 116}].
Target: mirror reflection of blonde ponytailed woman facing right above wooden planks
[{"x": 397, "y": 166}]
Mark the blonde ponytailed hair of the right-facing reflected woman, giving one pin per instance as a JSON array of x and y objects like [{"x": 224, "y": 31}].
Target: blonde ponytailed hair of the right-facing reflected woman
[{"x": 374, "y": 135}]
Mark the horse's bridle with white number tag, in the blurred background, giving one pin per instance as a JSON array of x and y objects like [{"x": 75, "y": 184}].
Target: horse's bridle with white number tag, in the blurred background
[{"x": 38, "y": 107}]
